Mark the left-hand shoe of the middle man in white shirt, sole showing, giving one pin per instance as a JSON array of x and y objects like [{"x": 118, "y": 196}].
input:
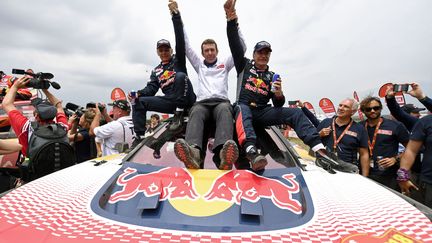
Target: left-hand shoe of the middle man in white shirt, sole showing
[{"x": 189, "y": 155}]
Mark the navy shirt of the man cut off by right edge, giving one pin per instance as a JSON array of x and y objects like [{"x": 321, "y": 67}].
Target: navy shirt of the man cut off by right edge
[{"x": 422, "y": 131}]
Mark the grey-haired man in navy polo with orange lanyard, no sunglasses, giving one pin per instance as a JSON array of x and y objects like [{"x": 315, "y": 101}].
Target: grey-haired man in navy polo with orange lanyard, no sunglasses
[{"x": 346, "y": 137}]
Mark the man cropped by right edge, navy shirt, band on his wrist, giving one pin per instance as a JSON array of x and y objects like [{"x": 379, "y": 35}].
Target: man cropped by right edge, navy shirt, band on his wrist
[{"x": 421, "y": 135}]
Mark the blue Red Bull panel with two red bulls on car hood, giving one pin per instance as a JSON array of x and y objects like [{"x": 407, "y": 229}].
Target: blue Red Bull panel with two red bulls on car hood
[{"x": 159, "y": 197}]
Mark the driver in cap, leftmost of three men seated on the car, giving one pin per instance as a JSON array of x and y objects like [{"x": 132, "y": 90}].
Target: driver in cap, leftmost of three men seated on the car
[{"x": 171, "y": 77}]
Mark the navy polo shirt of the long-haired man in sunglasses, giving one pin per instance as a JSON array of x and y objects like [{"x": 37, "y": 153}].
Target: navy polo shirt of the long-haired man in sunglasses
[{"x": 390, "y": 134}]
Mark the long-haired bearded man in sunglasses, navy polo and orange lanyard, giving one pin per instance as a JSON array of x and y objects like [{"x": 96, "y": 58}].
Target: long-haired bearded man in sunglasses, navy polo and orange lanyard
[{"x": 384, "y": 136}]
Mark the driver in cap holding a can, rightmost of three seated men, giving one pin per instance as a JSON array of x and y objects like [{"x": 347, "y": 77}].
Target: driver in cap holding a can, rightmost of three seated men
[{"x": 255, "y": 81}]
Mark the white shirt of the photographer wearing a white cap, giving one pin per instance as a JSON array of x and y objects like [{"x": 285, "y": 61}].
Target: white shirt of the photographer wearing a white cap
[{"x": 118, "y": 131}]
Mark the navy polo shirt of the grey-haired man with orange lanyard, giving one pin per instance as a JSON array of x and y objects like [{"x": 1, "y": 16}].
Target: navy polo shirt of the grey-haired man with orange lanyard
[{"x": 347, "y": 148}]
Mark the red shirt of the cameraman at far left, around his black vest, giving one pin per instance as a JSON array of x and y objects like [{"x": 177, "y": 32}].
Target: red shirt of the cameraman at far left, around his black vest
[{"x": 23, "y": 130}]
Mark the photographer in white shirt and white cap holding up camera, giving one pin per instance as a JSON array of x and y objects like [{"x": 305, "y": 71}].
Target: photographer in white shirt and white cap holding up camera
[{"x": 118, "y": 131}]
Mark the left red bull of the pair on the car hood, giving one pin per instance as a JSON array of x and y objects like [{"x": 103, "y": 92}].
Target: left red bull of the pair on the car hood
[{"x": 169, "y": 183}]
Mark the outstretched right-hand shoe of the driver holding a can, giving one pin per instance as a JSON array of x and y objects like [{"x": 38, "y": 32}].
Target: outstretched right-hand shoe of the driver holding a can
[{"x": 330, "y": 162}]
